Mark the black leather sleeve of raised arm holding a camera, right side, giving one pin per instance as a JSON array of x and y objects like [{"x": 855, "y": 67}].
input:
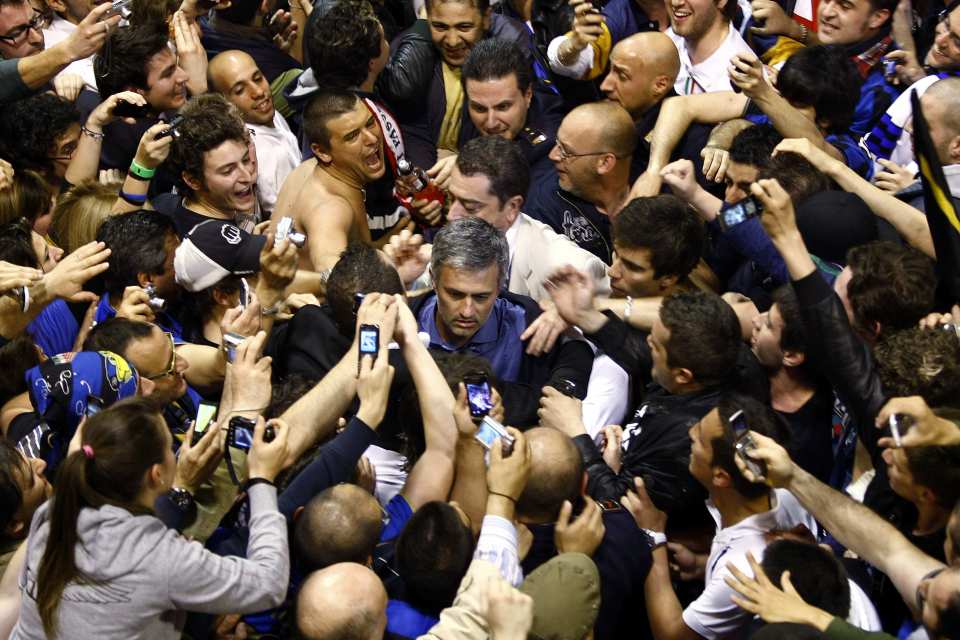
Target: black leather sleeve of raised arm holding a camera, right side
[{"x": 840, "y": 355}]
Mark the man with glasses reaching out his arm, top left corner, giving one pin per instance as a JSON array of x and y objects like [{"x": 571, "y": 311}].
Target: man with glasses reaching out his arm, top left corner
[{"x": 27, "y": 64}]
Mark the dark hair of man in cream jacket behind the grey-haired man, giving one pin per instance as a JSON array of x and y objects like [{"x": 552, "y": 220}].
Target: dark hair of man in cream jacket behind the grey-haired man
[{"x": 501, "y": 161}]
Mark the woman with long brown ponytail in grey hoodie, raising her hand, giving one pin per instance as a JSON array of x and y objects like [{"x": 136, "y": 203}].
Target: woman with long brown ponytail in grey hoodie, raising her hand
[{"x": 101, "y": 565}]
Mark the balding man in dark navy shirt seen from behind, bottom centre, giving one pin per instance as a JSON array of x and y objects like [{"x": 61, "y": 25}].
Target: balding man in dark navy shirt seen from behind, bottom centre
[{"x": 623, "y": 558}]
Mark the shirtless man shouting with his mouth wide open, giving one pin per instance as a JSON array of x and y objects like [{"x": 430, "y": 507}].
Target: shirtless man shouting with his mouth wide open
[{"x": 325, "y": 195}]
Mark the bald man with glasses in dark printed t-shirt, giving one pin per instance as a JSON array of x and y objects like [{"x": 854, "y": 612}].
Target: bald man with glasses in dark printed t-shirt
[{"x": 592, "y": 157}]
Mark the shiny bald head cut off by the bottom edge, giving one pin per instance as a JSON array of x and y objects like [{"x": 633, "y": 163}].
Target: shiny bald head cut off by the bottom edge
[{"x": 345, "y": 600}]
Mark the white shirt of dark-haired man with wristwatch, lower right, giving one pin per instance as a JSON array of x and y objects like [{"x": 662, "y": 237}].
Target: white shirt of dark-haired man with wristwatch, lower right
[{"x": 713, "y": 614}]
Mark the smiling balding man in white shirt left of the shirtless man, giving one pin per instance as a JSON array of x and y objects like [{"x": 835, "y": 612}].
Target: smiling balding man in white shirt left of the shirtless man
[{"x": 236, "y": 75}]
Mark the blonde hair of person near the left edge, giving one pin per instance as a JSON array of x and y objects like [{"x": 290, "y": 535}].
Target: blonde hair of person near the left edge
[{"x": 79, "y": 213}]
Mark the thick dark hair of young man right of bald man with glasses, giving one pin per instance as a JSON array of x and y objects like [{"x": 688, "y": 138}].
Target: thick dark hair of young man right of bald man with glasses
[{"x": 666, "y": 227}]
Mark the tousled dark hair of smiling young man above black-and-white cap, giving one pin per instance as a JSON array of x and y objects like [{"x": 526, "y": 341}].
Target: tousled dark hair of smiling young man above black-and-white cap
[{"x": 209, "y": 120}]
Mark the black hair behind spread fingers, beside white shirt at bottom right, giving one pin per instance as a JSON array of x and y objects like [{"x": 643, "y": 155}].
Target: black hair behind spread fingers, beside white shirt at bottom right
[{"x": 817, "y": 575}]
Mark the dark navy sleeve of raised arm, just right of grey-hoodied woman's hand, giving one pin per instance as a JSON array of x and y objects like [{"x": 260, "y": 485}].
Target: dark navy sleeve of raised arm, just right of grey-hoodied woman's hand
[{"x": 334, "y": 464}]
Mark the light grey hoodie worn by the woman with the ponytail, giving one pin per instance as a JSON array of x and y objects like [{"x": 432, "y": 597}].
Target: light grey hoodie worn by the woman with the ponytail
[{"x": 142, "y": 576}]
